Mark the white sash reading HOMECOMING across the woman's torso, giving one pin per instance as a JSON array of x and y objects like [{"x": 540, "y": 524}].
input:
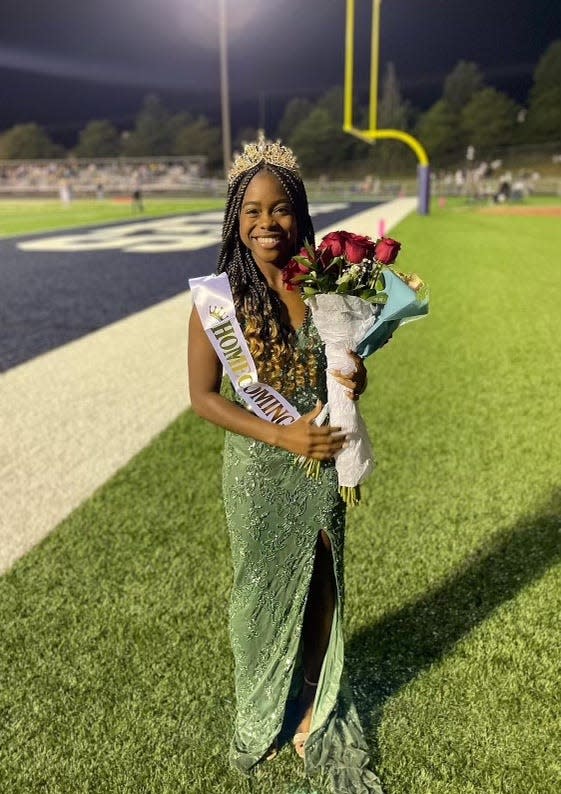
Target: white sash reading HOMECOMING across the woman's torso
[{"x": 213, "y": 299}]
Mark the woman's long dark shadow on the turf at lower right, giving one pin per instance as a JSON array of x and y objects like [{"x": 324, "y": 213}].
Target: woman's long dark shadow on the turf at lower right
[{"x": 386, "y": 656}]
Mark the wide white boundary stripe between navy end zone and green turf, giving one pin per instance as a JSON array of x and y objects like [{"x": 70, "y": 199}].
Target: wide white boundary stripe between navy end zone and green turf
[{"x": 72, "y": 417}]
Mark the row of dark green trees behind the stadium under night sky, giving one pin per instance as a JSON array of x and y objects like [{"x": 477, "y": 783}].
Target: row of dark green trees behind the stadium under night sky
[{"x": 469, "y": 113}]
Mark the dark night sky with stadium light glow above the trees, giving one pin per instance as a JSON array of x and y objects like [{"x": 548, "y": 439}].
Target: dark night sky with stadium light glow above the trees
[{"x": 64, "y": 62}]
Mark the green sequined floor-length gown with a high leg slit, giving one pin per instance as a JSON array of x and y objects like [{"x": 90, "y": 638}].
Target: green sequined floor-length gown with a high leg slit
[{"x": 274, "y": 514}]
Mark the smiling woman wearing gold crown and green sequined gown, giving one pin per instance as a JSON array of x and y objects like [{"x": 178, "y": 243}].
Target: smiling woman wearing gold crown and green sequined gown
[{"x": 286, "y": 529}]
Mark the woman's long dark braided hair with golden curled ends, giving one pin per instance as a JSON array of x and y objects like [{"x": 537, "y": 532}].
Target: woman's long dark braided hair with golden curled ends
[{"x": 271, "y": 340}]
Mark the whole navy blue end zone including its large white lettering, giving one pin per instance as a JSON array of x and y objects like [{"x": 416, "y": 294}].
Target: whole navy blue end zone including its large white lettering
[{"x": 60, "y": 286}]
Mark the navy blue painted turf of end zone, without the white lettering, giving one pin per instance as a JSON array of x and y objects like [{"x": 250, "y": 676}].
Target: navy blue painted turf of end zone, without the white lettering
[{"x": 48, "y": 299}]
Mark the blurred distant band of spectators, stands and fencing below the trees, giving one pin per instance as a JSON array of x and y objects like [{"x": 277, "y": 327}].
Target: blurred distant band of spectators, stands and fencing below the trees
[{"x": 529, "y": 170}]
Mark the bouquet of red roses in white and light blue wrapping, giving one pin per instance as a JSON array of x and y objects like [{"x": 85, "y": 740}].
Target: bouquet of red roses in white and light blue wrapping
[{"x": 357, "y": 300}]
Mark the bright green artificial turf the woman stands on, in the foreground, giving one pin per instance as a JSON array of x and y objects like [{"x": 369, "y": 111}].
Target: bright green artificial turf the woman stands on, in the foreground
[{"x": 115, "y": 667}]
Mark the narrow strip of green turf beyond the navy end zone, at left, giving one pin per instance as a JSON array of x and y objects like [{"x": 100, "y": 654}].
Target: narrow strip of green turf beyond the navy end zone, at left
[{"x": 26, "y": 216}]
